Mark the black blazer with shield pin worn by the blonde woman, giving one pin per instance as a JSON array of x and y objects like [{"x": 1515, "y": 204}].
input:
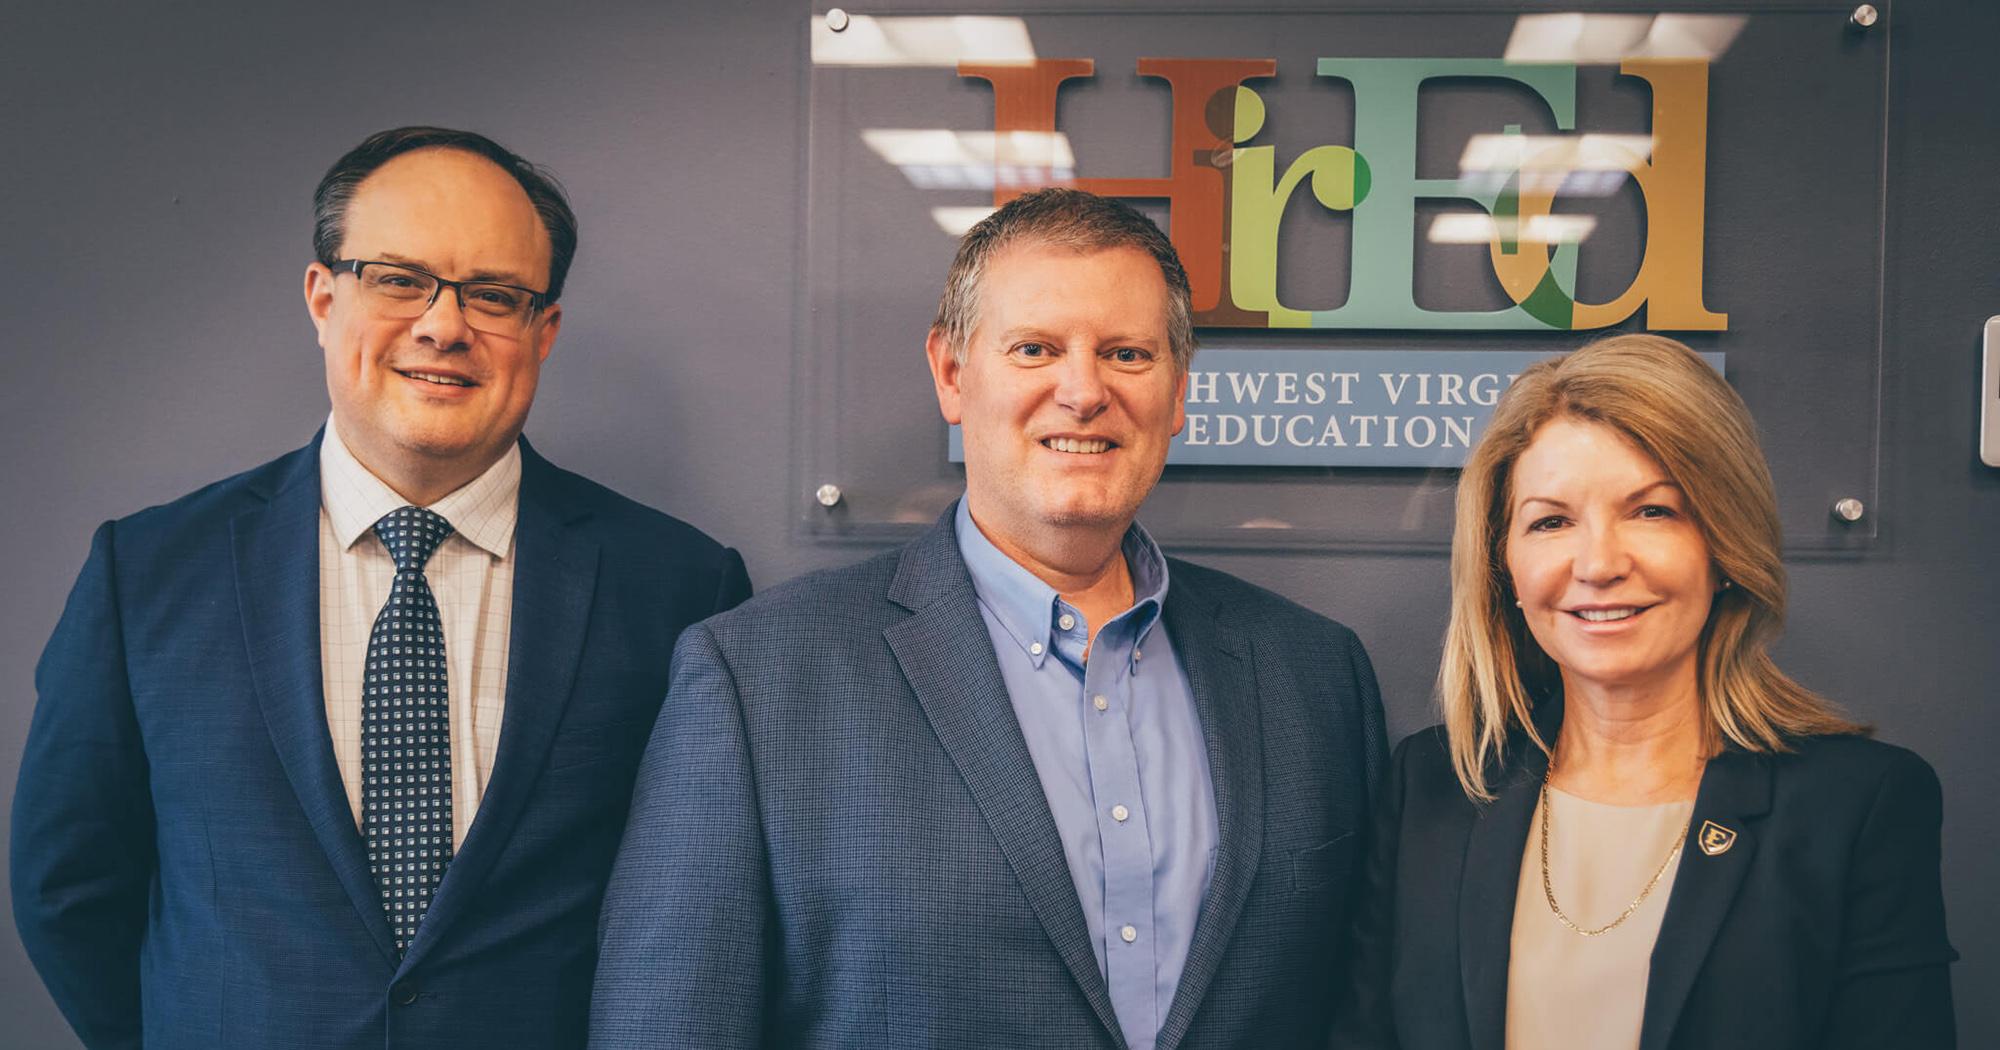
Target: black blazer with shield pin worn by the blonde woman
[{"x": 1819, "y": 927}]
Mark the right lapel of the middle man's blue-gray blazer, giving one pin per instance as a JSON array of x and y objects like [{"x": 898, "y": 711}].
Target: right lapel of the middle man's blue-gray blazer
[{"x": 1227, "y": 699}]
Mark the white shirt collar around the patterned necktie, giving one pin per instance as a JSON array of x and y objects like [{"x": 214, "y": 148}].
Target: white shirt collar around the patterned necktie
[{"x": 481, "y": 511}]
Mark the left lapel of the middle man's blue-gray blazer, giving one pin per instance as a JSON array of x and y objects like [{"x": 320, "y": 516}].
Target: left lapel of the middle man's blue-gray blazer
[{"x": 945, "y": 657}]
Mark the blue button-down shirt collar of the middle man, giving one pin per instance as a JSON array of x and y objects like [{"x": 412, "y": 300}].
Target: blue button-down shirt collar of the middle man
[{"x": 1027, "y": 607}]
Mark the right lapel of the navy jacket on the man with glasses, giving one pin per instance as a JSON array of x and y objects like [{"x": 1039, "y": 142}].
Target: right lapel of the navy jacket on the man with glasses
[{"x": 555, "y": 583}]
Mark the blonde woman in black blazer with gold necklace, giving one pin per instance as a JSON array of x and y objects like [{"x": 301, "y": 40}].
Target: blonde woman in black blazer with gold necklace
[{"x": 1633, "y": 831}]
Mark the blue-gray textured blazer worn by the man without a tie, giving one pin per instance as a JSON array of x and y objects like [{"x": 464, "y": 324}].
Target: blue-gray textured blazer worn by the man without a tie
[{"x": 839, "y": 837}]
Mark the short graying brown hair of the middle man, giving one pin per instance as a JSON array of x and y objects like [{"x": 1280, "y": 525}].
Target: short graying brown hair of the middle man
[{"x": 1065, "y": 219}]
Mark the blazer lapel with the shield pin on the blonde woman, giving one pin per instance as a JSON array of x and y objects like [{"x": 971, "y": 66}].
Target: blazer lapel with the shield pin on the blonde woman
[{"x": 1735, "y": 793}]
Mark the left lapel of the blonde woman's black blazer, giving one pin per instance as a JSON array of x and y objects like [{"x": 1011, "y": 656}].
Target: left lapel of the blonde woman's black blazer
[{"x": 1487, "y": 891}]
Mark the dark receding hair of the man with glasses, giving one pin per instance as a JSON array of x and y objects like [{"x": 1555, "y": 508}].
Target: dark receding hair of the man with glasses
[{"x": 331, "y": 201}]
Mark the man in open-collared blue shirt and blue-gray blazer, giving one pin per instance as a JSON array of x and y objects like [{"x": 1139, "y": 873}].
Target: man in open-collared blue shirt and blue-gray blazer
[{"x": 1025, "y": 781}]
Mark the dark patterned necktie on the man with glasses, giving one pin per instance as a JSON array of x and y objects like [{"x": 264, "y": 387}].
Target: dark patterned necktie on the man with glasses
[{"x": 407, "y": 737}]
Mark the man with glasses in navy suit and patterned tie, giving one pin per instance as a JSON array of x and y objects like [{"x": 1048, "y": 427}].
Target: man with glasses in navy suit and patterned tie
[{"x": 337, "y": 753}]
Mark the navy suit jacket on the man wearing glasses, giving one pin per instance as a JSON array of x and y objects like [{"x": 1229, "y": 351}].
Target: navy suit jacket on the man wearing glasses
[{"x": 187, "y": 871}]
